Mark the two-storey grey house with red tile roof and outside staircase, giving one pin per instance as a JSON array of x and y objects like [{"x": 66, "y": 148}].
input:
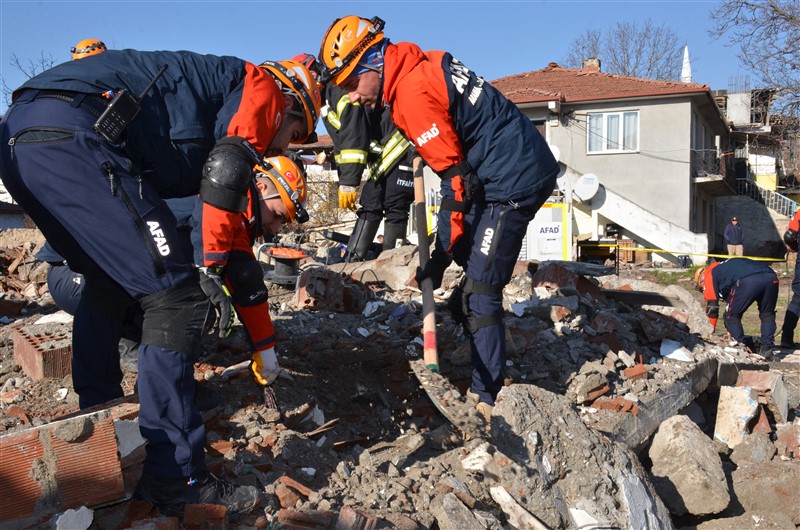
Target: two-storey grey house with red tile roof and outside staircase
[{"x": 654, "y": 147}]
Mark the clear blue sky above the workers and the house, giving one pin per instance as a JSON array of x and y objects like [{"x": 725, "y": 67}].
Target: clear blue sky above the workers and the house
[{"x": 494, "y": 38}]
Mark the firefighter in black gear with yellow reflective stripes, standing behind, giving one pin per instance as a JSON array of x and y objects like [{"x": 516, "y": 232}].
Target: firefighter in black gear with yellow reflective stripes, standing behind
[{"x": 366, "y": 138}]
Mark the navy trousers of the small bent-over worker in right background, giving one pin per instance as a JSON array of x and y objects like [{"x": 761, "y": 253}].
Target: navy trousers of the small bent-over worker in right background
[{"x": 761, "y": 289}]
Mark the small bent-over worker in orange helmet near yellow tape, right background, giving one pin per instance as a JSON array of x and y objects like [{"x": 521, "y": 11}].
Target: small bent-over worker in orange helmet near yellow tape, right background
[{"x": 740, "y": 282}]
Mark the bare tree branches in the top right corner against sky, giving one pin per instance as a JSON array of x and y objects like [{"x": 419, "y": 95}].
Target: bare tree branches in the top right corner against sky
[{"x": 768, "y": 35}]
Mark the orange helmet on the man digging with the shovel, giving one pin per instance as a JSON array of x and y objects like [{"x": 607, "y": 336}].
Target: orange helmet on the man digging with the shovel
[{"x": 344, "y": 43}]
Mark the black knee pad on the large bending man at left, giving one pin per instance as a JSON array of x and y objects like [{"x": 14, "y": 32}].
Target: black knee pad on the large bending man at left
[{"x": 173, "y": 318}]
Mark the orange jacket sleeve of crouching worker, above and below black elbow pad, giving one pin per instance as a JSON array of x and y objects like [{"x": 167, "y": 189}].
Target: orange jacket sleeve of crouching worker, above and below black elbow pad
[{"x": 224, "y": 233}]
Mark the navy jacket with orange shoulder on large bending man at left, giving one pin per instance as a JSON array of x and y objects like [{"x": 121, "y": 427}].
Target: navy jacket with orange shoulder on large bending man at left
[{"x": 199, "y": 100}]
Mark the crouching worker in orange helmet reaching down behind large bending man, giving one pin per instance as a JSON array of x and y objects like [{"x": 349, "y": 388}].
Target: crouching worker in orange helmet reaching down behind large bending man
[{"x": 276, "y": 196}]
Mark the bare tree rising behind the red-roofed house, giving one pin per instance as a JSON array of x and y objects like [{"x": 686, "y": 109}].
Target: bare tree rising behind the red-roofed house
[{"x": 642, "y": 50}]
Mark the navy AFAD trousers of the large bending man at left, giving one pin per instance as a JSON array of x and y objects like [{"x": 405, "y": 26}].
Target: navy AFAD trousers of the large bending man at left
[{"x": 84, "y": 195}]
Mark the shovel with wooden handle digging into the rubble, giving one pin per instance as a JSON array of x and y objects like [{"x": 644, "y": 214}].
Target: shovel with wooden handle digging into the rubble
[{"x": 445, "y": 397}]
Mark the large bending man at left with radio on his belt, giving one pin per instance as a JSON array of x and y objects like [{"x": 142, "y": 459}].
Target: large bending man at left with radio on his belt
[{"x": 90, "y": 149}]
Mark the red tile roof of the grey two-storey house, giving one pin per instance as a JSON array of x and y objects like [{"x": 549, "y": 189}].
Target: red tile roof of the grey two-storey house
[{"x": 572, "y": 86}]
